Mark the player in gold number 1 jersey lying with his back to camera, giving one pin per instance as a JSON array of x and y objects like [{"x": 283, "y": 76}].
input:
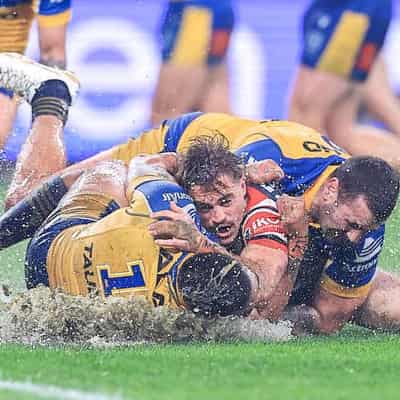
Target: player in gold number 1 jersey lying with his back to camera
[{"x": 96, "y": 242}]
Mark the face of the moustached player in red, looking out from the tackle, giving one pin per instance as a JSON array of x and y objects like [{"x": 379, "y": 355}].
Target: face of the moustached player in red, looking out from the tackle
[{"x": 222, "y": 209}]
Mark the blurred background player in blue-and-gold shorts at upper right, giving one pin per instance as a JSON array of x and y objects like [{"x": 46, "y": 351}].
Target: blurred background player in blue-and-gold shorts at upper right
[{"x": 341, "y": 46}]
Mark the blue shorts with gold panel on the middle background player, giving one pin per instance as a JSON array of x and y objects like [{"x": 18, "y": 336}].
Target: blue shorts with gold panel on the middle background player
[{"x": 196, "y": 32}]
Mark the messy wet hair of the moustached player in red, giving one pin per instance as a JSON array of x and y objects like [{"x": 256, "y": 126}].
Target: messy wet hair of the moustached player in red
[{"x": 206, "y": 159}]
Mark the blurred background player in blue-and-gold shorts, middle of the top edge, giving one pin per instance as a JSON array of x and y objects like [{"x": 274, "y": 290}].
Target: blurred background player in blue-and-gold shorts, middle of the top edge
[{"x": 193, "y": 76}]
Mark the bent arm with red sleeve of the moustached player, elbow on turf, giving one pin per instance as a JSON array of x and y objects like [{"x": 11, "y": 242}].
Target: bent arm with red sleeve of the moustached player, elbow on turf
[{"x": 286, "y": 232}]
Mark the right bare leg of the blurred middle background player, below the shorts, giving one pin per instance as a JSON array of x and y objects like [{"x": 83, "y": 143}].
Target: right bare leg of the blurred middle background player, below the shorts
[{"x": 215, "y": 98}]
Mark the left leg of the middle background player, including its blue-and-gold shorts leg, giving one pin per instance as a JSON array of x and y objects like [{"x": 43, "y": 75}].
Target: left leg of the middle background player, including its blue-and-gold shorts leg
[{"x": 186, "y": 34}]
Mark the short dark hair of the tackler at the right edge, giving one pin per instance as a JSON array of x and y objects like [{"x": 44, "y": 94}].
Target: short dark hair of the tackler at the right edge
[{"x": 372, "y": 178}]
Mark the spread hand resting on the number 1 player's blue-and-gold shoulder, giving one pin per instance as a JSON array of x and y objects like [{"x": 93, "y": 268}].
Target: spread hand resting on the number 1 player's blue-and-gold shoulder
[{"x": 175, "y": 229}]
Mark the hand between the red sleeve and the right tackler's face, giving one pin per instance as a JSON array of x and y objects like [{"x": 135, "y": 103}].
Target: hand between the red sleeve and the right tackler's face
[{"x": 293, "y": 214}]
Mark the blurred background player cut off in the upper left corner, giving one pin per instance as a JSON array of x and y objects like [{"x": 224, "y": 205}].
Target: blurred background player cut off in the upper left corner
[{"x": 16, "y": 18}]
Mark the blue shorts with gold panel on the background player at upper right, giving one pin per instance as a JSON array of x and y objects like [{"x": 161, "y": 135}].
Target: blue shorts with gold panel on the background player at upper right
[{"x": 344, "y": 37}]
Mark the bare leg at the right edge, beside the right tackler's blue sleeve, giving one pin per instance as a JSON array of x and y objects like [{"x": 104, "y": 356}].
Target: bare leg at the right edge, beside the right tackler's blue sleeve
[{"x": 381, "y": 309}]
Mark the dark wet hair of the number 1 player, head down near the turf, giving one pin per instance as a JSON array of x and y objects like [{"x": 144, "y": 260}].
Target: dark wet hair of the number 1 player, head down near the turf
[{"x": 214, "y": 285}]
